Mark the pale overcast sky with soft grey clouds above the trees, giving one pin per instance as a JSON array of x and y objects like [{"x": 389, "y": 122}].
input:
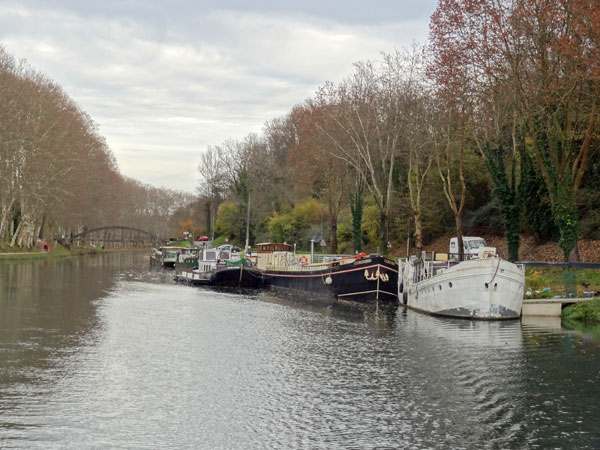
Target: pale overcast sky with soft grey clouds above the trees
[{"x": 166, "y": 79}]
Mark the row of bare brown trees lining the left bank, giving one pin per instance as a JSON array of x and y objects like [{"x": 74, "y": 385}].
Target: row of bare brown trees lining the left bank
[{"x": 57, "y": 175}]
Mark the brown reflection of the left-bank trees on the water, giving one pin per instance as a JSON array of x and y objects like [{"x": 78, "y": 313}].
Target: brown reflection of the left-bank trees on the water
[{"x": 46, "y": 307}]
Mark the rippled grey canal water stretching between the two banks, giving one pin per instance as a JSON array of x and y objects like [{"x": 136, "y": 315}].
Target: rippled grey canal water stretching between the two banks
[{"x": 101, "y": 352}]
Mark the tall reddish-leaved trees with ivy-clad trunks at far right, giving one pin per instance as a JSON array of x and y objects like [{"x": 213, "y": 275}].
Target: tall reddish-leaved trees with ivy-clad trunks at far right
[{"x": 523, "y": 76}]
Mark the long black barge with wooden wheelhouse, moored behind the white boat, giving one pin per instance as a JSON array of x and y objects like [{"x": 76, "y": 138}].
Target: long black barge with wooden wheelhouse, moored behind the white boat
[{"x": 362, "y": 278}]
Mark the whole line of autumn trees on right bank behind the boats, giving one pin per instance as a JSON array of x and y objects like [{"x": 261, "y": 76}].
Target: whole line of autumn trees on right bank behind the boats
[{"x": 503, "y": 100}]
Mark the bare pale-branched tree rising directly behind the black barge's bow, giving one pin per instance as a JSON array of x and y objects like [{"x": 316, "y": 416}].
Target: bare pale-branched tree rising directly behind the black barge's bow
[{"x": 364, "y": 118}]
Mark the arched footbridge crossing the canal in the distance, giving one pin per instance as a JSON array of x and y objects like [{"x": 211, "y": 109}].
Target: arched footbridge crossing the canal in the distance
[{"x": 114, "y": 236}]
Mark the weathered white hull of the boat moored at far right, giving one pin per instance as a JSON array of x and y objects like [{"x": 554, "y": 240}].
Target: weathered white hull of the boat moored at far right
[{"x": 488, "y": 289}]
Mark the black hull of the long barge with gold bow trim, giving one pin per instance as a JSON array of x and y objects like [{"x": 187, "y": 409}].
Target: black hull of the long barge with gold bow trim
[{"x": 372, "y": 279}]
